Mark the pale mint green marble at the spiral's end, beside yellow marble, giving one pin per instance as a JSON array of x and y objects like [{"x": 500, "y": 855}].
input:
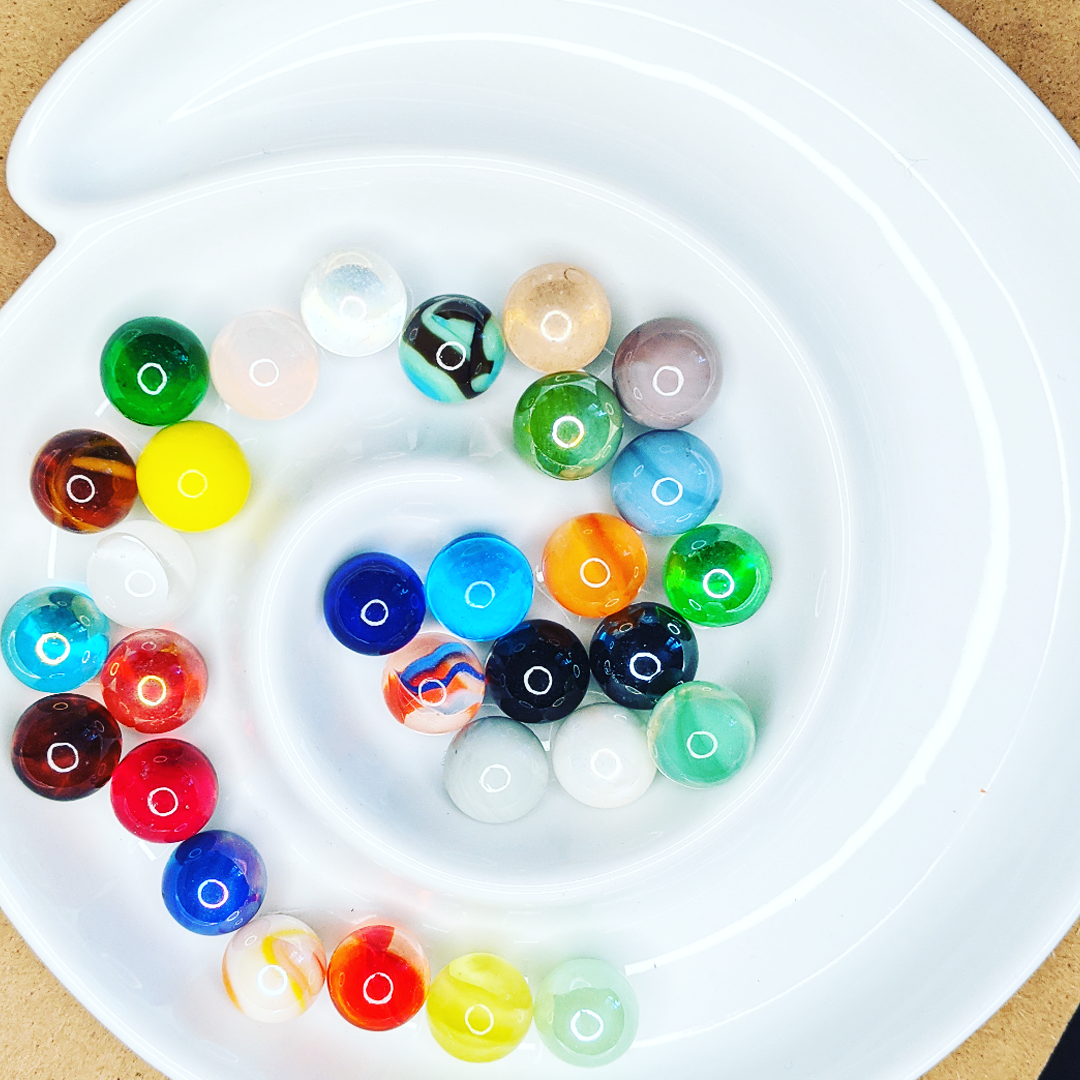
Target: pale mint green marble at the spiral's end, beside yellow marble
[{"x": 587, "y": 1012}]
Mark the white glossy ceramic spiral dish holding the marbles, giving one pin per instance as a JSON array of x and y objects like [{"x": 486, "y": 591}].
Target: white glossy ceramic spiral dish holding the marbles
[{"x": 879, "y": 223}]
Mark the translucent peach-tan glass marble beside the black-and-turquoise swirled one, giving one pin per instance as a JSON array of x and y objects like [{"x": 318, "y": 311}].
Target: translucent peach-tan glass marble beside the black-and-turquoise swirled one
[{"x": 557, "y": 318}]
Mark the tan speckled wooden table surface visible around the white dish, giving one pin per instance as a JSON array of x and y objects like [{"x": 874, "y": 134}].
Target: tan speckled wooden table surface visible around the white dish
[{"x": 45, "y": 1033}]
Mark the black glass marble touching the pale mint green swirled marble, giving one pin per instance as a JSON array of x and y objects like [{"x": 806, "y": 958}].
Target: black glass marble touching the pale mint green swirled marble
[{"x": 638, "y": 655}]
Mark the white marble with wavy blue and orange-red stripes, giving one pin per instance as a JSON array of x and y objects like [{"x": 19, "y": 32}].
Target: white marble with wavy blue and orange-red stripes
[{"x": 435, "y": 685}]
